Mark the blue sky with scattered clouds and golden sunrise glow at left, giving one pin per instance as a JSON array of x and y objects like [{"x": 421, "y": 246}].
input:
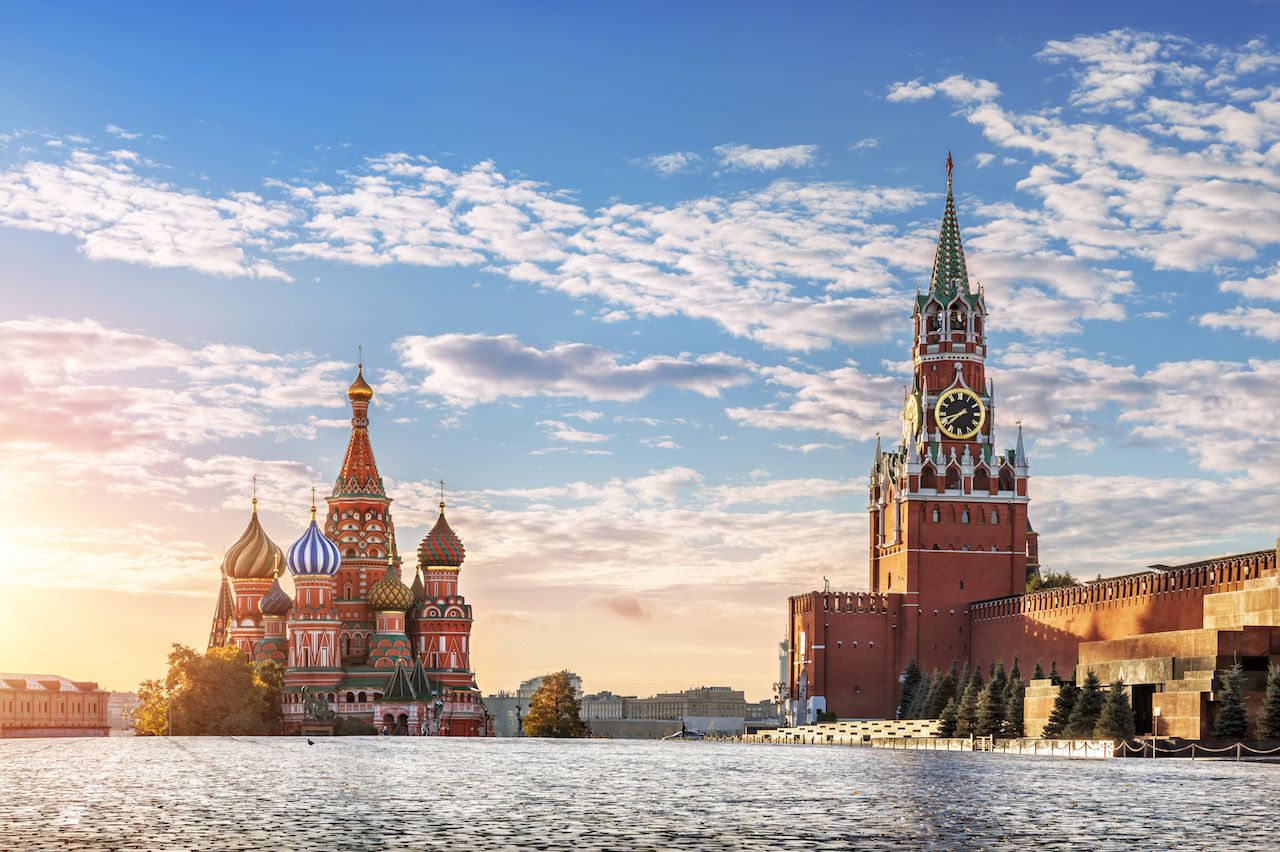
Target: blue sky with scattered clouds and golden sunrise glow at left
[{"x": 634, "y": 281}]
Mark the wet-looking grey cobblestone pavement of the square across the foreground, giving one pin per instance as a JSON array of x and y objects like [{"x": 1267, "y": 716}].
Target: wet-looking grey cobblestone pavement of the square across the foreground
[{"x": 392, "y": 794}]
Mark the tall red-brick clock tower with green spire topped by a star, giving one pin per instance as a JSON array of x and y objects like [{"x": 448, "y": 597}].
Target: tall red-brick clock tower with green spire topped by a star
[{"x": 948, "y": 511}]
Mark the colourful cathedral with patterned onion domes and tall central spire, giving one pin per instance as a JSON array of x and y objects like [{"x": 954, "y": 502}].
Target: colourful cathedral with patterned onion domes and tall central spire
[{"x": 355, "y": 635}]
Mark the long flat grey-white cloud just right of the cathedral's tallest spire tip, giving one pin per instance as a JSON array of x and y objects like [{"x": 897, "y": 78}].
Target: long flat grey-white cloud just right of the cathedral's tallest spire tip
[{"x": 469, "y": 369}]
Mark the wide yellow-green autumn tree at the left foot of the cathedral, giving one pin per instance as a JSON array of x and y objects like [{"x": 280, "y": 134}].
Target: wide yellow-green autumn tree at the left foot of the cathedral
[{"x": 213, "y": 694}]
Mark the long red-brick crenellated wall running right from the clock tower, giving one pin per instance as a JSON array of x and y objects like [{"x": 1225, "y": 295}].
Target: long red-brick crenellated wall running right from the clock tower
[{"x": 1049, "y": 626}]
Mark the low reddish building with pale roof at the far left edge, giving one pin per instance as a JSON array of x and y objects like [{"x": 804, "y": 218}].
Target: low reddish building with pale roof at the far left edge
[{"x": 49, "y": 706}]
